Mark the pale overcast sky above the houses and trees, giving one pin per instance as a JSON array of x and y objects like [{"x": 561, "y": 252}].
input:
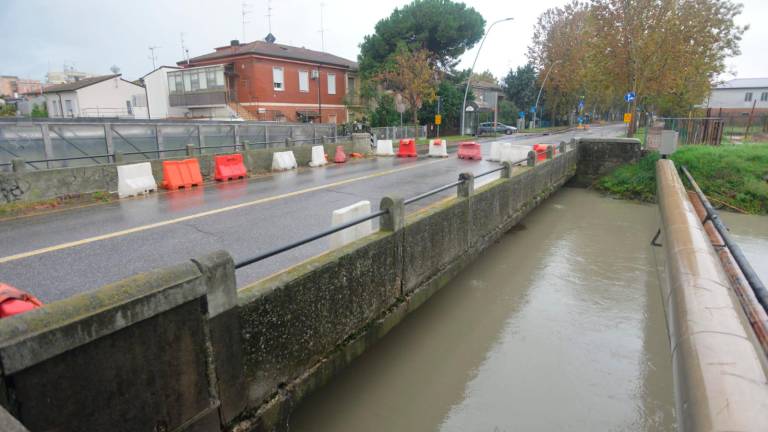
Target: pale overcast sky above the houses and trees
[{"x": 92, "y": 35}]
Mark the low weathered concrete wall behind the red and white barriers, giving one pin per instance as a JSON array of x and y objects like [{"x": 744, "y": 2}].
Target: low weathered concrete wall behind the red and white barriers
[{"x": 35, "y": 185}]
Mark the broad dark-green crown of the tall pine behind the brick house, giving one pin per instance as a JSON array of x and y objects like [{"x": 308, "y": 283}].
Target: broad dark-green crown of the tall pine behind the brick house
[{"x": 441, "y": 27}]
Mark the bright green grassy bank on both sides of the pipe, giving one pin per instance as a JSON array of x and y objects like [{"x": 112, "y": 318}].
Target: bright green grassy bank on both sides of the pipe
[{"x": 729, "y": 175}]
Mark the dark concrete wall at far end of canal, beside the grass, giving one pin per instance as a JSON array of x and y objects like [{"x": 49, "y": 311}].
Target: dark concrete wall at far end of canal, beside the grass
[{"x": 599, "y": 156}]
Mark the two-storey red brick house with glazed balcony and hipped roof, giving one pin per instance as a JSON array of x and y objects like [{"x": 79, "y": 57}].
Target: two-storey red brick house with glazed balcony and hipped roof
[{"x": 270, "y": 81}]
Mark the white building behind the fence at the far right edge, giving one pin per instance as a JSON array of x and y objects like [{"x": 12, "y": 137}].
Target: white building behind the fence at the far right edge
[{"x": 737, "y": 96}]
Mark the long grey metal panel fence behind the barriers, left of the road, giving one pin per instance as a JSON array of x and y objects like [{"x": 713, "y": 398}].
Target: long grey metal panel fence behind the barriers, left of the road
[{"x": 58, "y": 144}]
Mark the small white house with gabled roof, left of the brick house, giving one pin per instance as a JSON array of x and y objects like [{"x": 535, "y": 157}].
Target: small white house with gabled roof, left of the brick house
[{"x": 101, "y": 96}]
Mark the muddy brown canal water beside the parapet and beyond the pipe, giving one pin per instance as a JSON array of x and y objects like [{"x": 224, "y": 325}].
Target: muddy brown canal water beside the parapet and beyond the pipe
[{"x": 557, "y": 327}]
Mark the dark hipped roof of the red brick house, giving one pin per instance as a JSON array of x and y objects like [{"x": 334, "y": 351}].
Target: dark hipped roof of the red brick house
[{"x": 263, "y": 48}]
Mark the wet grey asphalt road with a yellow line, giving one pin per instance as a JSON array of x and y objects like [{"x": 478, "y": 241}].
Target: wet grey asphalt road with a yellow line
[{"x": 59, "y": 254}]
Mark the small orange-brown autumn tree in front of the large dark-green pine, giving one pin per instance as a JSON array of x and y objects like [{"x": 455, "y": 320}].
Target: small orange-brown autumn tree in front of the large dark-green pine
[{"x": 409, "y": 73}]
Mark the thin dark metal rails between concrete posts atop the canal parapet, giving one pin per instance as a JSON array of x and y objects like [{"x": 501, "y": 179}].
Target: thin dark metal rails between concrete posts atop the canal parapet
[{"x": 375, "y": 214}]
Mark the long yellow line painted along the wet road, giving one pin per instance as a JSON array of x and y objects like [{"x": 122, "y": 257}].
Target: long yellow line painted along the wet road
[{"x": 141, "y": 228}]
